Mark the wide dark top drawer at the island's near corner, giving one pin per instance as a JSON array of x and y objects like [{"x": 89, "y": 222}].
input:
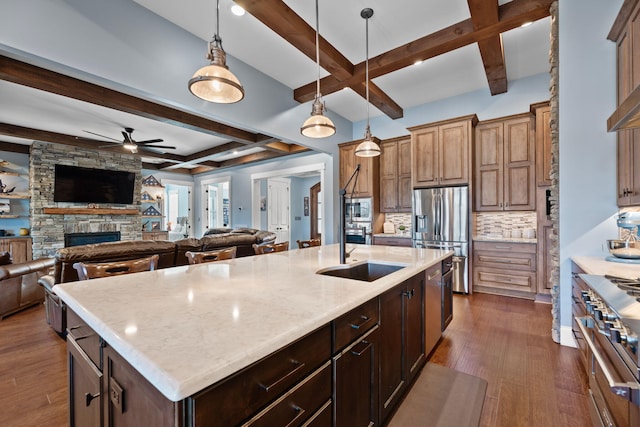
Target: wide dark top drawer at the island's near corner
[{"x": 245, "y": 393}]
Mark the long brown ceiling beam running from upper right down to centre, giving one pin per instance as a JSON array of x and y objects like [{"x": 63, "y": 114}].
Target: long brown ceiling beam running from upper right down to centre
[{"x": 511, "y": 15}]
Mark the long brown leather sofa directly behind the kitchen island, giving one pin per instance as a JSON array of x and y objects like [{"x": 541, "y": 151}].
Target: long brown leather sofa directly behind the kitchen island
[{"x": 171, "y": 254}]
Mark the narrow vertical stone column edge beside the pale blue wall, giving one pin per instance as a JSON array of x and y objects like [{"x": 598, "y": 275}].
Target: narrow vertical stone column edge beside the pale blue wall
[{"x": 555, "y": 150}]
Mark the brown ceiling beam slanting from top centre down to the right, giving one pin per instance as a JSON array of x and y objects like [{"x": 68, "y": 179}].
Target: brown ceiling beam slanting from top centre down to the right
[{"x": 276, "y": 15}]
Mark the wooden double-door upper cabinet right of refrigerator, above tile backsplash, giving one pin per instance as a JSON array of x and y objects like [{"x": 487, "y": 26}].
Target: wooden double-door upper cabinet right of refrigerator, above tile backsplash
[{"x": 504, "y": 157}]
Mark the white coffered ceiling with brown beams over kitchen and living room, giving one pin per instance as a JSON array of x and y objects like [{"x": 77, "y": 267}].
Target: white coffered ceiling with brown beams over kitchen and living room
[{"x": 464, "y": 45}]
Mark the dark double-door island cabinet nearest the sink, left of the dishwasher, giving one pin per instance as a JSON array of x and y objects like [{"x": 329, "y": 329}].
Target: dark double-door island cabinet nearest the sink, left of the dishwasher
[{"x": 402, "y": 351}]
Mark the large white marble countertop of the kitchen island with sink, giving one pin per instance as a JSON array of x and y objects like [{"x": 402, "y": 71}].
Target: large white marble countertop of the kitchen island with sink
[{"x": 185, "y": 328}]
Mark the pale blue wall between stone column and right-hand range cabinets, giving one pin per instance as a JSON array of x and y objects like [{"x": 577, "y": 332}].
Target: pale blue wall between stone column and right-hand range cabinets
[{"x": 587, "y": 152}]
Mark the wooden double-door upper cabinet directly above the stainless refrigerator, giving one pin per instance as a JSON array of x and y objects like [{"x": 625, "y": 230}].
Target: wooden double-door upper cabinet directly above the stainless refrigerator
[{"x": 441, "y": 152}]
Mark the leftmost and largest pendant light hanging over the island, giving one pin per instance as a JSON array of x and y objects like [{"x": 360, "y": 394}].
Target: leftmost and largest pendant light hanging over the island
[{"x": 214, "y": 82}]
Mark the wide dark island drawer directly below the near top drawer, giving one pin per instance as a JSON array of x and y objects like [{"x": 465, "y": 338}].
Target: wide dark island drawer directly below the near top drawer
[{"x": 298, "y": 404}]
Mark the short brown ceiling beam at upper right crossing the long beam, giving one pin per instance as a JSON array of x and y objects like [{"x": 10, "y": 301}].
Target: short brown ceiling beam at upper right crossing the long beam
[{"x": 485, "y": 13}]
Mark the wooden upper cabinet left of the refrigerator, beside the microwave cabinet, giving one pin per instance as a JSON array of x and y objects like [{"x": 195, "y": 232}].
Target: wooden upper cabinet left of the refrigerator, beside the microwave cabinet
[{"x": 395, "y": 175}]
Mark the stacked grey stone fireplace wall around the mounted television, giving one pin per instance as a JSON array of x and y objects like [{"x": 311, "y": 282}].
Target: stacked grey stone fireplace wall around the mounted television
[{"x": 47, "y": 230}]
